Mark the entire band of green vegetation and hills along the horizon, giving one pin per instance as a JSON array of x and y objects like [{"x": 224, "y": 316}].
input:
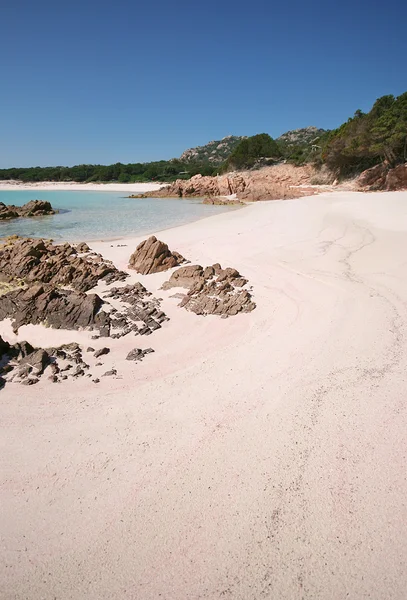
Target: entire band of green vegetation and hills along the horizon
[{"x": 362, "y": 142}]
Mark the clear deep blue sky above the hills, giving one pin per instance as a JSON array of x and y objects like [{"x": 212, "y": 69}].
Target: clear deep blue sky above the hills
[{"x": 101, "y": 82}]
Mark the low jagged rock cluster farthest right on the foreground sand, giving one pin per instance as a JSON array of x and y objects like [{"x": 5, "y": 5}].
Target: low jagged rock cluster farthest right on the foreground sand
[{"x": 212, "y": 290}]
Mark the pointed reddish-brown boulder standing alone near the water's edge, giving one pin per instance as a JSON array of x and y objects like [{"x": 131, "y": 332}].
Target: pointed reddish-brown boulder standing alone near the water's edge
[{"x": 153, "y": 256}]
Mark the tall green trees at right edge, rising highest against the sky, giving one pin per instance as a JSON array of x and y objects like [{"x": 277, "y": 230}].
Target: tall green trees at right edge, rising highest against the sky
[{"x": 368, "y": 139}]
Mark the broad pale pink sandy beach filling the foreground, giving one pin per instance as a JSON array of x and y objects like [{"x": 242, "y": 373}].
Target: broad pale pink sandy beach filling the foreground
[{"x": 262, "y": 456}]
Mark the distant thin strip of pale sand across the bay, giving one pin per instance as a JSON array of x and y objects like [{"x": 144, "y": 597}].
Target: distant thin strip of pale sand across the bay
[{"x": 52, "y": 186}]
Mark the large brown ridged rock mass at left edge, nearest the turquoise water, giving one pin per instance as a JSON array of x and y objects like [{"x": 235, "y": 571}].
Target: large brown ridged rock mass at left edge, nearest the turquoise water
[{"x": 36, "y": 260}]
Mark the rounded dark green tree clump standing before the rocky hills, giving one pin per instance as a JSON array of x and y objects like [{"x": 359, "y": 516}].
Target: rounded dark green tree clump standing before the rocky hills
[{"x": 252, "y": 151}]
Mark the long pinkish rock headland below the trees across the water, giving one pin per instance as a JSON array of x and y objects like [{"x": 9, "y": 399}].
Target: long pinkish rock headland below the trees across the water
[{"x": 269, "y": 183}]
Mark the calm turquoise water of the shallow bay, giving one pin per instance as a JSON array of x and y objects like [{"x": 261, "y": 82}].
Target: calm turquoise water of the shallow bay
[{"x": 100, "y": 215}]
